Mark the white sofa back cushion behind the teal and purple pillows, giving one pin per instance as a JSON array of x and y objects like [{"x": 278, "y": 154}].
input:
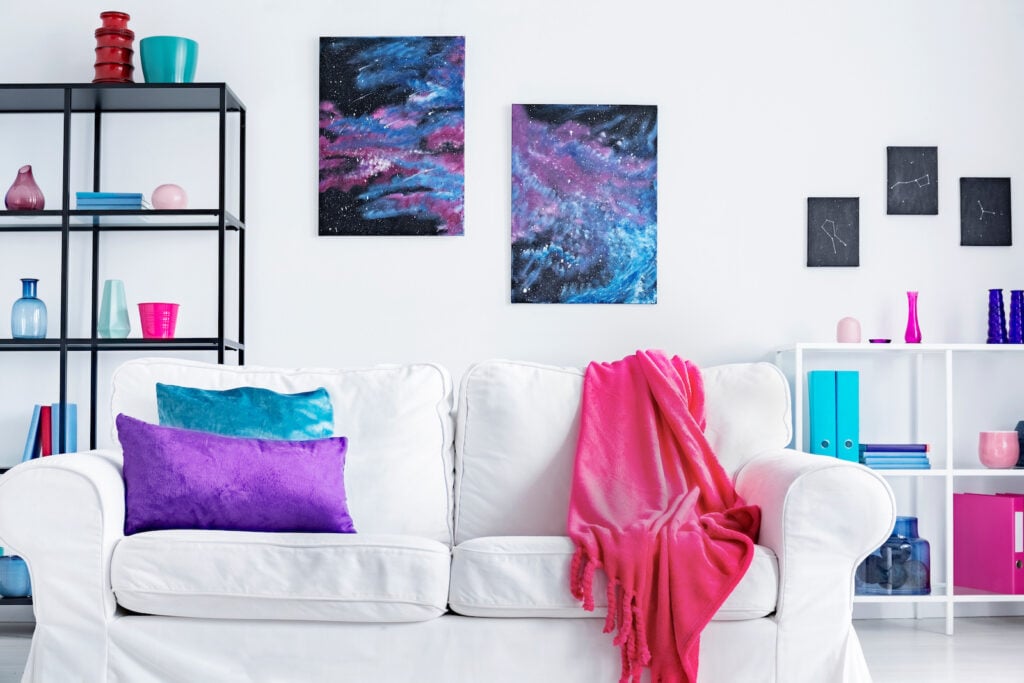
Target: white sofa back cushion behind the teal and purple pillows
[{"x": 398, "y": 420}]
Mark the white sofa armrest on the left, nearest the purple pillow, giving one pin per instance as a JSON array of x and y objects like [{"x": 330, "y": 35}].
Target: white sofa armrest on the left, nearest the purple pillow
[{"x": 64, "y": 515}]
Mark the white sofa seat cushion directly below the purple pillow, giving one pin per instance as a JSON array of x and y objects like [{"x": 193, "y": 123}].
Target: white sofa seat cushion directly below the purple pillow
[{"x": 307, "y": 577}]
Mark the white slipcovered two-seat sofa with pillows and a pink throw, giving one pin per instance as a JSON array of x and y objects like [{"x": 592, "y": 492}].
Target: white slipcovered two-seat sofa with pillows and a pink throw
[{"x": 460, "y": 568}]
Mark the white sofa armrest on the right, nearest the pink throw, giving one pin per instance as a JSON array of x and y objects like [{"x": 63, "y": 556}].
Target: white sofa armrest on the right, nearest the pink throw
[{"x": 822, "y": 517}]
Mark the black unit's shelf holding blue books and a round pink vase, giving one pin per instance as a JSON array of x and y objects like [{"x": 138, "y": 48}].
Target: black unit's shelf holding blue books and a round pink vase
[{"x": 141, "y": 221}]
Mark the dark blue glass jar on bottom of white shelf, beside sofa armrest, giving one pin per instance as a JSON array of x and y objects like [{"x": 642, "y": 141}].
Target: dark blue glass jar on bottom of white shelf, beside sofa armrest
[{"x": 901, "y": 567}]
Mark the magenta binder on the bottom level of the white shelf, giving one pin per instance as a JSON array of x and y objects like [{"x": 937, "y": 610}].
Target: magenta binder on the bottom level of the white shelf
[{"x": 989, "y": 542}]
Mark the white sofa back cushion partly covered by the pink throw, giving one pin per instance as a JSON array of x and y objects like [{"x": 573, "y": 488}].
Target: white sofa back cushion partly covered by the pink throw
[{"x": 518, "y": 430}]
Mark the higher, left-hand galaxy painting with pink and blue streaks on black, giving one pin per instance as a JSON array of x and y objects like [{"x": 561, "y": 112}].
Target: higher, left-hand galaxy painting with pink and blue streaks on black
[{"x": 392, "y": 136}]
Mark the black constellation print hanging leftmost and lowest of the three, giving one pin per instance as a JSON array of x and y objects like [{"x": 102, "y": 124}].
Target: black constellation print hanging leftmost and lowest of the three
[{"x": 833, "y": 231}]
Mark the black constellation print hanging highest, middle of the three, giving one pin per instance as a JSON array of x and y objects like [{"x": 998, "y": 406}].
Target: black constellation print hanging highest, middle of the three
[{"x": 913, "y": 182}]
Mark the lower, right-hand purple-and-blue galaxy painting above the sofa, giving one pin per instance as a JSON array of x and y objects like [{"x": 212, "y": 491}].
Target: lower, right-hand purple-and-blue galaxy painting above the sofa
[{"x": 584, "y": 204}]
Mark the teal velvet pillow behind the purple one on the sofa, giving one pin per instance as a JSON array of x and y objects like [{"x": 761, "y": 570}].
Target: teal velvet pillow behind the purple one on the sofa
[{"x": 247, "y": 412}]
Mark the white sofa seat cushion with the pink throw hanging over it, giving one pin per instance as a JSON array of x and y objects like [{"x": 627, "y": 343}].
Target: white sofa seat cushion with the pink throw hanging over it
[{"x": 529, "y": 576}]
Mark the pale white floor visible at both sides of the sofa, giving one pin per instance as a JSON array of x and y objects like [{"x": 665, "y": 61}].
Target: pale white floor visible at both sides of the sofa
[{"x": 984, "y": 650}]
